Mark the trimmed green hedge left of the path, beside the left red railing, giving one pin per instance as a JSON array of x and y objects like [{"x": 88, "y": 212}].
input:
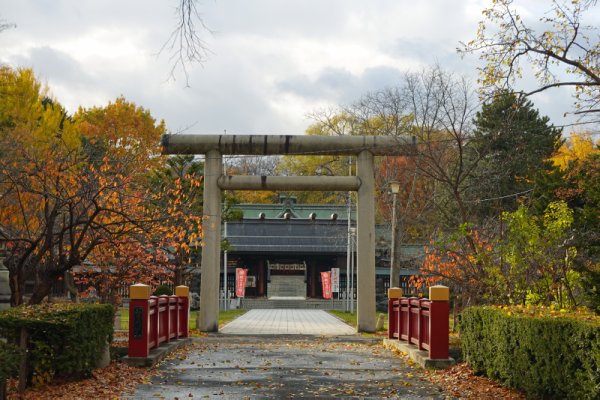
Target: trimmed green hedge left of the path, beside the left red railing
[{"x": 64, "y": 339}]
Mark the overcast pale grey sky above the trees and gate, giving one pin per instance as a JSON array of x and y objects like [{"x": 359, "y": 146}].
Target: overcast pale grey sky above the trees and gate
[{"x": 272, "y": 61}]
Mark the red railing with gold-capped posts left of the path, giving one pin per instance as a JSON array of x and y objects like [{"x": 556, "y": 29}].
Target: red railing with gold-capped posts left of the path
[{"x": 155, "y": 320}]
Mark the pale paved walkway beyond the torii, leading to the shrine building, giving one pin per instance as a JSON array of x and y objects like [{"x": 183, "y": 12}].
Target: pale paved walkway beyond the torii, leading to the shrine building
[{"x": 287, "y": 322}]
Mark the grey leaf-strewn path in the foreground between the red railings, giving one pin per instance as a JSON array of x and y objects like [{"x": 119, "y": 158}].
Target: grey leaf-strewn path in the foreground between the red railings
[{"x": 287, "y": 367}]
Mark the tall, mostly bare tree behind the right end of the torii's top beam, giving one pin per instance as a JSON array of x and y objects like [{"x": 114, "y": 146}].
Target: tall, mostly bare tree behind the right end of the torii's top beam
[{"x": 436, "y": 108}]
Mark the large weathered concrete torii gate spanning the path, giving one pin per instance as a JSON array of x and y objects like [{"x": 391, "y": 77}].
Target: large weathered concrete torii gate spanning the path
[{"x": 215, "y": 146}]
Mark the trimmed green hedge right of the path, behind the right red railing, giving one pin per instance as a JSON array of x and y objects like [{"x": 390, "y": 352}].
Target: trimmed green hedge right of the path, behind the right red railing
[{"x": 546, "y": 357}]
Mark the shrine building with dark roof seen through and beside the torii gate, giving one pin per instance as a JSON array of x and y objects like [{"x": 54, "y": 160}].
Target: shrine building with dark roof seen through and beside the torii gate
[{"x": 286, "y": 246}]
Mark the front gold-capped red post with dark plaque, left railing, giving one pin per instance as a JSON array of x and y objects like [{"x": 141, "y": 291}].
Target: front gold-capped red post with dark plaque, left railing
[{"x": 138, "y": 321}]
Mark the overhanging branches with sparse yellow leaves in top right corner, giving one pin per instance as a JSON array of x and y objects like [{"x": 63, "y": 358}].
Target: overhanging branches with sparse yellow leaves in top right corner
[{"x": 560, "y": 47}]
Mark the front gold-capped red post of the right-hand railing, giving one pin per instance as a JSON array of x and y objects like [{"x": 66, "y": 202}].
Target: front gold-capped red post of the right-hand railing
[{"x": 438, "y": 322}]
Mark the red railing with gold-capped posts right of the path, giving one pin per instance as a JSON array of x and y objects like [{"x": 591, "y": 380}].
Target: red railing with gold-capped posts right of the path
[{"x": 422, "y": 322}]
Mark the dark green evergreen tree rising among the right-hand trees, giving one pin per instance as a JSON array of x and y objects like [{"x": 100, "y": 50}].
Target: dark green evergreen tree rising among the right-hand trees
[{"x": 516, "y": 142}]
